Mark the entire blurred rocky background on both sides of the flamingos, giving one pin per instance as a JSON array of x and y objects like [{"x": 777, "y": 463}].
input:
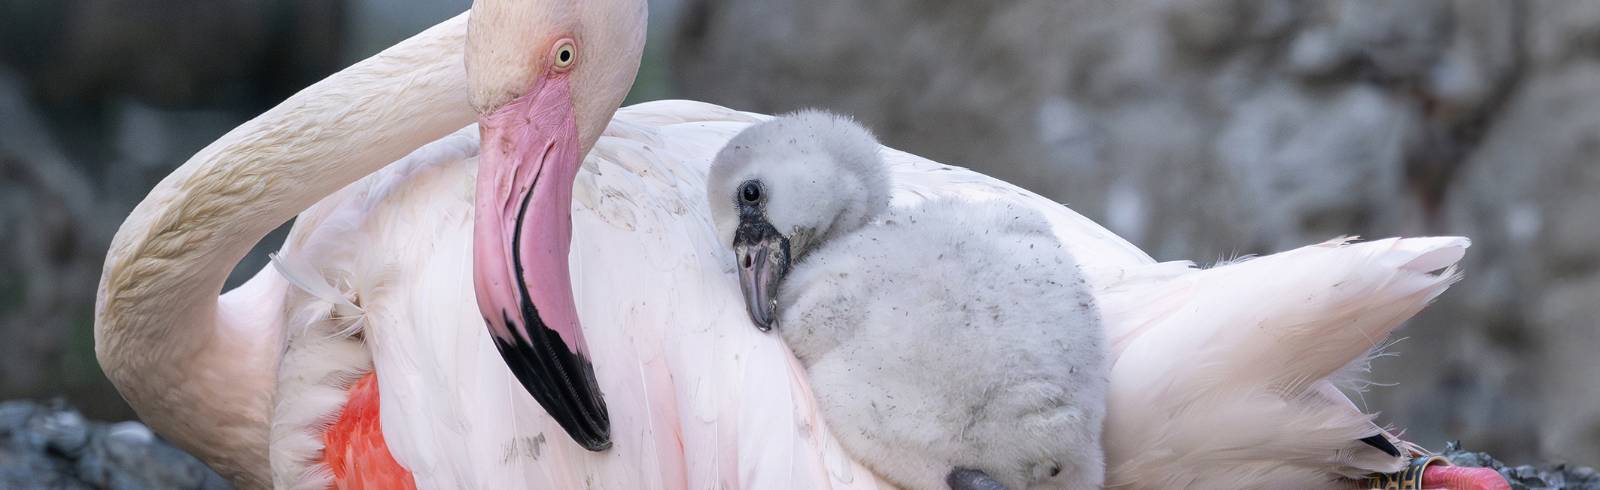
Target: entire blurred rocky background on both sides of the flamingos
[{"x": 1198, "y": 131}]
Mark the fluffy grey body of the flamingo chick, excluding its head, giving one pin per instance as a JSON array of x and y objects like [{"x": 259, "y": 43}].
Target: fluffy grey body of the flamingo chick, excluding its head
[{"x": 954, "y": 335}]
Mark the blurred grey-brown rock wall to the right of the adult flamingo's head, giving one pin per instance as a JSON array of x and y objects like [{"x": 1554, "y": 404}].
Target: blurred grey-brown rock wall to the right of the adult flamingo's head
[{"x": 1217, "y": 129}]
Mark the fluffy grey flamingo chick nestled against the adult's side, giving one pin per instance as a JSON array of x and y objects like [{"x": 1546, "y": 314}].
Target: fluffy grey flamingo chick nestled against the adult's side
[{"x": 950, "y": 343}]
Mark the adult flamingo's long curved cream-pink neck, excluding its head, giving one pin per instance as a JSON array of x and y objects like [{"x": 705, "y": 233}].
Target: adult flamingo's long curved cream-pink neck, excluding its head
[{"x": 158, "y": 319}]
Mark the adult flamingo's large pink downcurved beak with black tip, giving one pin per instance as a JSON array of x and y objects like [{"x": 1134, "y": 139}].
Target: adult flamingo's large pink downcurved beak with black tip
[{"x": 522, "y": 236}]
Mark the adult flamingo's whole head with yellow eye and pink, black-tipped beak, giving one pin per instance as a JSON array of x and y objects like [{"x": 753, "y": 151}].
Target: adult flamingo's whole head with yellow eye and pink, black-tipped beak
[{"x": 546, "y": 78}]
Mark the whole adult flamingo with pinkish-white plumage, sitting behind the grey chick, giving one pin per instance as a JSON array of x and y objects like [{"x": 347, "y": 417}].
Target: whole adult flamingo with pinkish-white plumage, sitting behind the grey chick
[{"x": 372, "y": 300}]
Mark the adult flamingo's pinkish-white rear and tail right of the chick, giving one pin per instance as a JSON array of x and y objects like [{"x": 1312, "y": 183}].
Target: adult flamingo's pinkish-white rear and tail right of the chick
[{"x": 1228, "y": 374}]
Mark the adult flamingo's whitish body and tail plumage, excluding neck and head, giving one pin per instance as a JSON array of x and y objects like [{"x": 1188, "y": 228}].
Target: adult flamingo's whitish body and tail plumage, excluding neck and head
[{"x": 681, "y": 364}]
